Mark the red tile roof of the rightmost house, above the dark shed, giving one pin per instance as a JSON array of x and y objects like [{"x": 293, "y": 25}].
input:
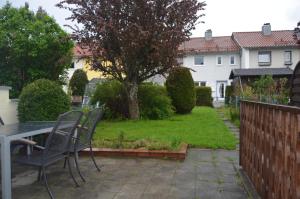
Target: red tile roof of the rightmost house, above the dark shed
[{"x": 281, "y": 38}]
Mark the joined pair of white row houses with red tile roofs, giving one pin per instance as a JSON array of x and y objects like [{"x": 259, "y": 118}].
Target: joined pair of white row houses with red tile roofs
[{"x": 254, "y": 54}]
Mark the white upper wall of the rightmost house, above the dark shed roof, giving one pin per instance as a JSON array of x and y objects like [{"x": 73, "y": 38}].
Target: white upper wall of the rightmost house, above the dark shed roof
[{"x": 277, "y": 56}]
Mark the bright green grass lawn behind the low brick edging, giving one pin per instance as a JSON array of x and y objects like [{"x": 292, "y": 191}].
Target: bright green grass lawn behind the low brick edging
[{"x": 203, "y": 128}]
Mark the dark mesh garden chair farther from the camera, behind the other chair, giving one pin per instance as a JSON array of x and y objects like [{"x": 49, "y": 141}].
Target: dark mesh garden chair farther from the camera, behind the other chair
[{"x": 83, "y": 139}]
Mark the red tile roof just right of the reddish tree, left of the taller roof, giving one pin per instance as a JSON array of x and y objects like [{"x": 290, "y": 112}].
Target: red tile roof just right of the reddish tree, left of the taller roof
[{"x": 215, "y": 44}]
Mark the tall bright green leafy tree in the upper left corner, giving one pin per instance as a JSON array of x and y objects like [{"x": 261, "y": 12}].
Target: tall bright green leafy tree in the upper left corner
[{"x": 32, "y": 46}]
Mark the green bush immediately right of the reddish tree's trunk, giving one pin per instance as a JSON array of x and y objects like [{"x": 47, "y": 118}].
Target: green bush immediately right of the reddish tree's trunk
[{"x": 154, "y": 102}]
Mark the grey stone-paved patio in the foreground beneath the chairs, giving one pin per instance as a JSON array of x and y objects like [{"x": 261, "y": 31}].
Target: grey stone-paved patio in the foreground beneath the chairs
[{"x": 205, "y": 174}]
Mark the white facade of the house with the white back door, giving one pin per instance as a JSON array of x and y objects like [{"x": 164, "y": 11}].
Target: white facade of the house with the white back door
[{"x": 211, "y": 72}]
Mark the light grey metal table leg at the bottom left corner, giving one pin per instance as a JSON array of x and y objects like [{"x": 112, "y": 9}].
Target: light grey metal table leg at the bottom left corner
[{"x": 6, "y": 168}]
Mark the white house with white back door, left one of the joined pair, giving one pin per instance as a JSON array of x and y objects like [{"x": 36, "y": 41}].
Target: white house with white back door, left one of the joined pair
[{"x": 211, "y": 60}]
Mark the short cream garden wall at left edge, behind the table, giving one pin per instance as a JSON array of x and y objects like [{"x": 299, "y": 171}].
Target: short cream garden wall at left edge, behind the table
[{"x": 8, "y": 108}]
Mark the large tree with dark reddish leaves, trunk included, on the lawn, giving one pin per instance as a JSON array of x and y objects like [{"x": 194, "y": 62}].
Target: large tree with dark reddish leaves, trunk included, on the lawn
[{"x": 133, "y": 40}]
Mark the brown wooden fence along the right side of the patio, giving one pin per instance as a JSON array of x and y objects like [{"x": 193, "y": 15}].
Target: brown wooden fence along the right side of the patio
[{"x": 270, "y": 148}]
